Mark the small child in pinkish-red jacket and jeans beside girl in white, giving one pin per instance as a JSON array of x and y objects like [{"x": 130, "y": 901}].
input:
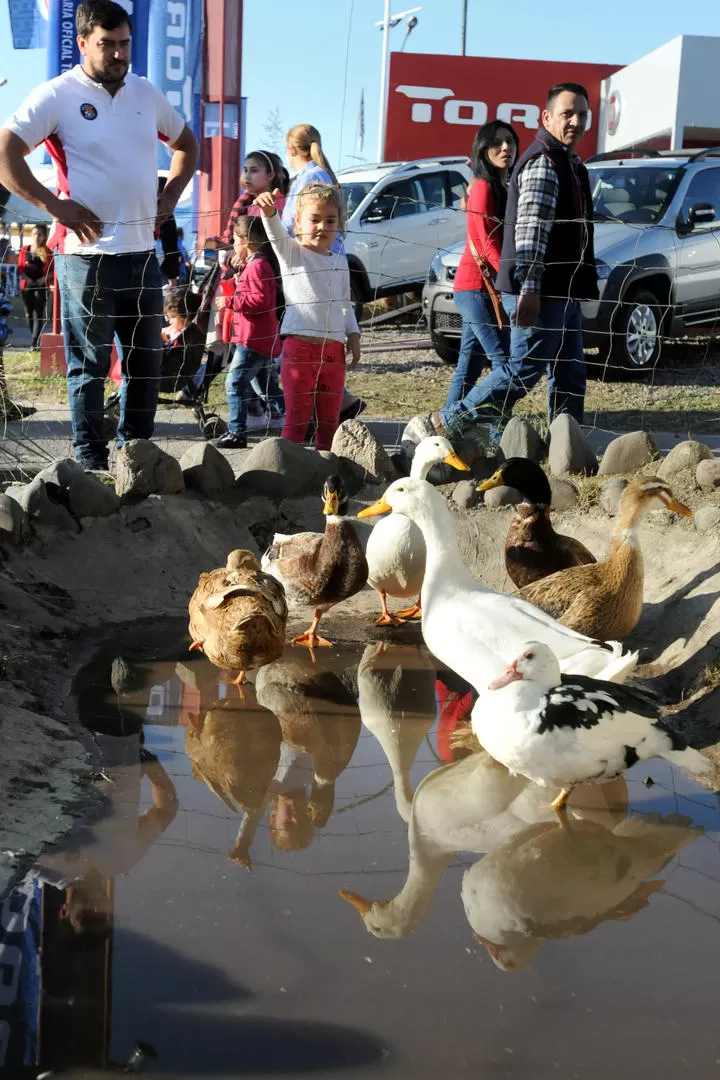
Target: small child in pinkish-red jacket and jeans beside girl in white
[{"x": 255, "y": 327}]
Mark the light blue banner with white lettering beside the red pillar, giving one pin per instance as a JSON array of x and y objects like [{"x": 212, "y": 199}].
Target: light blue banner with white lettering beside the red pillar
[{"x": 175, "y": 56}]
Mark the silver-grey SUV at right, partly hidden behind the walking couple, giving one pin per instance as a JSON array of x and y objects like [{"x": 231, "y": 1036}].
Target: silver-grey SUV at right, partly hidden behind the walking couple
[{"x": 658, "y": 249}]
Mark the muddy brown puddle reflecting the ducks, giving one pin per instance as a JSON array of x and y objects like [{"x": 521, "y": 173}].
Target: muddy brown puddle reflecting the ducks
[{"x": 192, "y": 925}]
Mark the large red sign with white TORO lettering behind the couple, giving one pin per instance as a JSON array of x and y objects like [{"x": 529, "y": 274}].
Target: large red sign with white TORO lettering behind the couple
[{"x": 438, "y": 103}]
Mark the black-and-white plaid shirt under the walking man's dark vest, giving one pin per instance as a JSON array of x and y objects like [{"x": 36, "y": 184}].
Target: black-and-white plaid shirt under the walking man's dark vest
[{"x": 539, "y": 190}]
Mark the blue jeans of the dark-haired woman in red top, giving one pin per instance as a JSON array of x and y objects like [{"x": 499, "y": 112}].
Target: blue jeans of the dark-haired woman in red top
[{"x": 482, "y": 342}]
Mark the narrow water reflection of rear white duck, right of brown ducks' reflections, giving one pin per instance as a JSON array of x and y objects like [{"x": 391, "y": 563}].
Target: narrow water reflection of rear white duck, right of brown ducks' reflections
[{"x": 397, "y": 699}]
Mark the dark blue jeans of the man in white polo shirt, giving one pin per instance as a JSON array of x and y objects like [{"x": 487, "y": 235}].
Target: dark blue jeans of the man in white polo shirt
[{"x": 101, "y": 296}]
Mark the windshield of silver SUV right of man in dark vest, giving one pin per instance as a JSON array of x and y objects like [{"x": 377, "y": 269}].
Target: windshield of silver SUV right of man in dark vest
[{"x": 634, "y": 194}]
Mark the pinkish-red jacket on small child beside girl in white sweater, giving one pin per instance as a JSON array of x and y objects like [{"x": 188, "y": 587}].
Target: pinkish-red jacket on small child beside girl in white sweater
[{"x": 255, "y": 319}]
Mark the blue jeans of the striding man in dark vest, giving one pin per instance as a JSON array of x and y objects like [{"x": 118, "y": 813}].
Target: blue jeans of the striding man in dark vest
[{"x": 554, "y": 345}]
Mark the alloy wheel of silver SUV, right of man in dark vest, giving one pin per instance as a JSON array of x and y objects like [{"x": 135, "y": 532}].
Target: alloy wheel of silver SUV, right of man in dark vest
[{"x": 635, "y": 335}]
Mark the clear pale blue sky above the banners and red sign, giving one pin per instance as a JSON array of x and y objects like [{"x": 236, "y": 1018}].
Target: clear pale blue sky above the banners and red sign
[{"x": 311, "y": 60}]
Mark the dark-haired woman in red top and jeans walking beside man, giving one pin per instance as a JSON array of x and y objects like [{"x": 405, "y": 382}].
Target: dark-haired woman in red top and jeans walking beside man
[{"x": 495, "y": 151}]
